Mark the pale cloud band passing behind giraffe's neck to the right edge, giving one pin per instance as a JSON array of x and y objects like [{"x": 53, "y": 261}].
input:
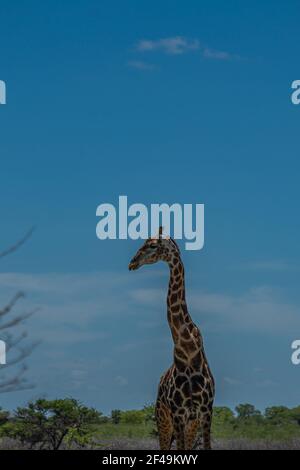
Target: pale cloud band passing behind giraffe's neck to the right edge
[{"x": 259, "y": 309}]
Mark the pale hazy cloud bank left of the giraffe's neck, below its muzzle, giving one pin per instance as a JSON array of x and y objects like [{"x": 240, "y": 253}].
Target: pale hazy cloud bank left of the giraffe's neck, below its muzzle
[{"x": 72, "y": 304}]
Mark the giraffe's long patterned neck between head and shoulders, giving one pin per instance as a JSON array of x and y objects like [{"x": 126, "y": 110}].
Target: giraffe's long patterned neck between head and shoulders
[{"x": 186, "y": 336}]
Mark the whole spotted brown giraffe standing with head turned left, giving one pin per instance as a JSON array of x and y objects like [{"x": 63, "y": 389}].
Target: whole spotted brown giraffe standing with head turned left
[{"x": 186, "y": 390}]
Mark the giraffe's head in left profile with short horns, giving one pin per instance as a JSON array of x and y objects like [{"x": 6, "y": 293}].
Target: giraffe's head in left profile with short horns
[{"x": 153, "y": 250}]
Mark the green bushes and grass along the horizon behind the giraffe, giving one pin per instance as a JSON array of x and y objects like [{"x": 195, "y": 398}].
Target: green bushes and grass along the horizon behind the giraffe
[{"x": 67, "y": 424}]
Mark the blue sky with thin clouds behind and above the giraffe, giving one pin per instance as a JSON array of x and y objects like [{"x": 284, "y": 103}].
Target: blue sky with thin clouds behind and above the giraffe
[{"x": 103, "y": 99}]
